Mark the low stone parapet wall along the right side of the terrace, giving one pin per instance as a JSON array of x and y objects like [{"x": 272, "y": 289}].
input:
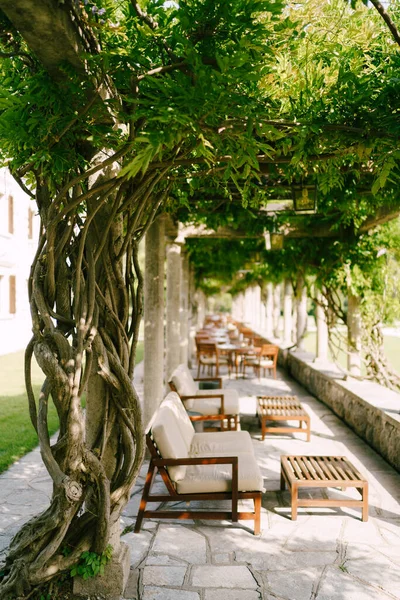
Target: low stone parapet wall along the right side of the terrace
[{"x": 371, "y": 410}]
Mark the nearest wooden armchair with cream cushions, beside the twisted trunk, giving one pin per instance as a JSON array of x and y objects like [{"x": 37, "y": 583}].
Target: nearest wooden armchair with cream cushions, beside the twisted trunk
[{"x": 199, "y": 466}]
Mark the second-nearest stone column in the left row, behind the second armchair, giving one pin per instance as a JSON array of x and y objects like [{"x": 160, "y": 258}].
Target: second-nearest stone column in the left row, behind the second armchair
[{"x": 173, "y": 307}]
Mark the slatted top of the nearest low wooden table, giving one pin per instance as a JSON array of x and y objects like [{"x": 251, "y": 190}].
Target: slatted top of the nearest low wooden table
[{"x": 317, "y": 471}]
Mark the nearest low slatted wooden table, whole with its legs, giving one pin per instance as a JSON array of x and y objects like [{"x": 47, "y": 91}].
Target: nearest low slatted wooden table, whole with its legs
[{"x": 322, "y": 472}]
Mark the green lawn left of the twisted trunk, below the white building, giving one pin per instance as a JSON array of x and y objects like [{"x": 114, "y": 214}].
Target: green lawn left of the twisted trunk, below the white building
[{"x": 17, "y": 435}]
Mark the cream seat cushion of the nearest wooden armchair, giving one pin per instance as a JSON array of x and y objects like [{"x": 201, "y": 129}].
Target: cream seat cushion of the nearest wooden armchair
[{"x": 218, "y": 478}]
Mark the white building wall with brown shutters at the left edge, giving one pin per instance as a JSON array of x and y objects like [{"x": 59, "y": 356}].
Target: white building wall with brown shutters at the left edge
[{"x": 19, "y": 228}]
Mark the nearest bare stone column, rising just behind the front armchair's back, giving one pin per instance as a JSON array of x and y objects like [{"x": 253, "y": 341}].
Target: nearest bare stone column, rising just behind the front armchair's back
[{"x": 153, "y": 319}]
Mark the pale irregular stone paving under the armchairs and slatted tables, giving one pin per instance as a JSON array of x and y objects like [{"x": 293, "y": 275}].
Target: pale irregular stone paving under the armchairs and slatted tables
[{"x": 327, "y": 554}]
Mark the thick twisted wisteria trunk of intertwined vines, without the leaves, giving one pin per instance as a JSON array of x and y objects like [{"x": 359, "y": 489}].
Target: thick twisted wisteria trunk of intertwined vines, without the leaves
[{"x": 86, "y": 302}]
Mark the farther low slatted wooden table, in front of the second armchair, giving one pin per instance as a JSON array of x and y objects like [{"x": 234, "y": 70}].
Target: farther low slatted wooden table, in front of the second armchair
[{"x": 282, "y": 408}]
